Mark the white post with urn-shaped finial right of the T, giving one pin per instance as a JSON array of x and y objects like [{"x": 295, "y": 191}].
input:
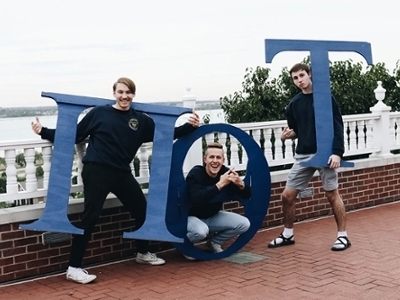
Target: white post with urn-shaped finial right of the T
[{"x": 381, "y": 126}]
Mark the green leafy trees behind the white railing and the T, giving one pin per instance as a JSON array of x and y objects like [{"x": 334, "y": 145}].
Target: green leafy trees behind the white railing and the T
[{"x": 264, "y": 99}]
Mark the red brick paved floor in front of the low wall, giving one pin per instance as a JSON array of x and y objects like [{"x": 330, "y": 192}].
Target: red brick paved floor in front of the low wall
[{"x": 370, "y": 269}]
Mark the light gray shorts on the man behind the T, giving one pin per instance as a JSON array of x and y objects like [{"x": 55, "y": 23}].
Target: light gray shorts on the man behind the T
[{"x": 299, "y": 176}]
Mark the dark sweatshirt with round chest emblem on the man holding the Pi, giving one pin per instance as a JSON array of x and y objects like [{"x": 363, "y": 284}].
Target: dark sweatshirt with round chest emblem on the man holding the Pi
[{"x": 114, "y": 135}]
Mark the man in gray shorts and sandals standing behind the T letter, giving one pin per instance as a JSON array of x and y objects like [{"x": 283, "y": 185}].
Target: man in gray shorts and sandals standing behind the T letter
[{"x": 301, "y": 125}]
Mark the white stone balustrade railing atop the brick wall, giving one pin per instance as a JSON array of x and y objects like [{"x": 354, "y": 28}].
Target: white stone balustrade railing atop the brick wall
[{"x": 364, "y": 135}]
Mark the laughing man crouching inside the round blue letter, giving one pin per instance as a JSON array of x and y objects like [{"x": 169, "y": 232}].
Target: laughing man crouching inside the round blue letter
[{"x": 203, "y": 184}]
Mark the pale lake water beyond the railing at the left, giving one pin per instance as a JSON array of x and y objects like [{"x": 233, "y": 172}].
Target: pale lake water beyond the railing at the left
[{"x": 19, "y": 129}]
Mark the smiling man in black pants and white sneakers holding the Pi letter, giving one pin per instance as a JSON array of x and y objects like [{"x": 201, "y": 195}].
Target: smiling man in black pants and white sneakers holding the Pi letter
[{"x": 115, "y": 134}]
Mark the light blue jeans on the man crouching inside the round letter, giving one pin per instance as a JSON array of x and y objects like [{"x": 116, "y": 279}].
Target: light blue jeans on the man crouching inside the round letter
[{"x": 223, "y": 226}]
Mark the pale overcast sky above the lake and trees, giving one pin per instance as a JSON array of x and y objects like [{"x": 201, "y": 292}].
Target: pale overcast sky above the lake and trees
[{"x": 81, "y": 47}]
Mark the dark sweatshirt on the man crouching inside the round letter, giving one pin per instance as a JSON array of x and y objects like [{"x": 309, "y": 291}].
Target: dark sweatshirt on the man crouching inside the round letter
[{"x": 201, "y": 191}]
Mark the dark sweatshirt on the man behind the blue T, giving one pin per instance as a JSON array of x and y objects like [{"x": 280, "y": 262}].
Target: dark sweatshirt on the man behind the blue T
[{"x": 301, "y": 118}]
